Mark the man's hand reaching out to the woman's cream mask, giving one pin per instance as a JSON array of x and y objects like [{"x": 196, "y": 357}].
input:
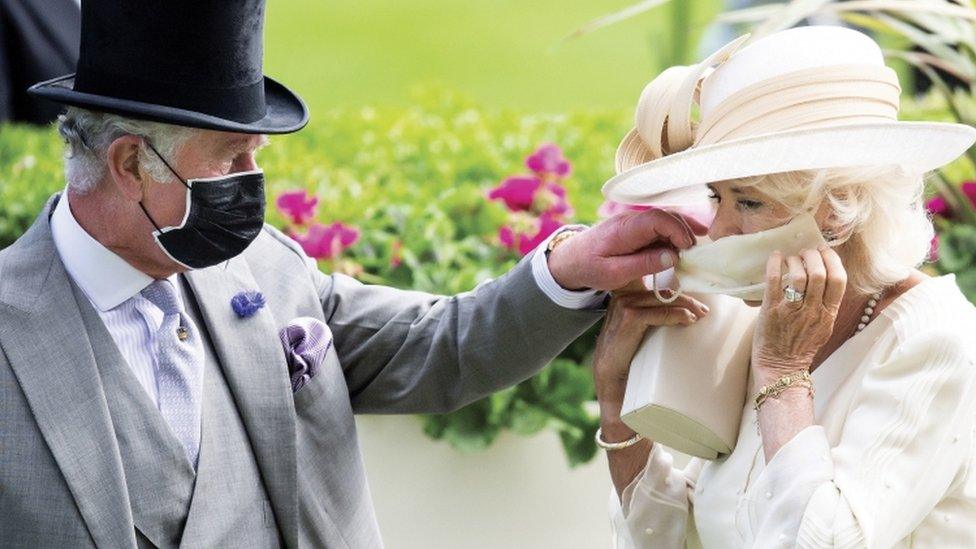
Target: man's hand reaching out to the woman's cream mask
[{"x": 622, "y": 249}]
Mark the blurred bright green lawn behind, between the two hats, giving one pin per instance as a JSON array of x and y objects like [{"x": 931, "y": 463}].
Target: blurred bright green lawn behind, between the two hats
[{"x": 500, "y": 53}]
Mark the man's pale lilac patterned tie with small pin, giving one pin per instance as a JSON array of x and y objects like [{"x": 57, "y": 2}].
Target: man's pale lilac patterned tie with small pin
[{"x": 179, "y": 356}]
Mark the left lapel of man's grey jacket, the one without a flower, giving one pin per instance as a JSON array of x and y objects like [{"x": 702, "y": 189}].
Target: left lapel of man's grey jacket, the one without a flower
[{"x": 44, "y": 338}]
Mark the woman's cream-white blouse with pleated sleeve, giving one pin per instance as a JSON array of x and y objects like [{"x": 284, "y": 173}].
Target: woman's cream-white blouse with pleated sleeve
[{"x": 888, "y": 463}]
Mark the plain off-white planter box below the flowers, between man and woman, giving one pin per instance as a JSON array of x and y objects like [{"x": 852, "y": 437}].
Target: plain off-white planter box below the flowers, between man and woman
[{"x": 520, "y": 493}]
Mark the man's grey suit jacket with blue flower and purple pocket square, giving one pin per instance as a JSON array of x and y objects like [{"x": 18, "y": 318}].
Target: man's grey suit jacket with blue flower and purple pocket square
[{"x": 61, "y": 479}]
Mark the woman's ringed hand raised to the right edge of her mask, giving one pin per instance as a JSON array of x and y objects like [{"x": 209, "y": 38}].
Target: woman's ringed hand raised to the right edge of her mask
[{"x": 789, "y": 334}]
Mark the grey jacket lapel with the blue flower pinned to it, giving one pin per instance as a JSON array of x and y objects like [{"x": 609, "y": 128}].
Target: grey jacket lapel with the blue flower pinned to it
[{"x": 254, "y": 366}]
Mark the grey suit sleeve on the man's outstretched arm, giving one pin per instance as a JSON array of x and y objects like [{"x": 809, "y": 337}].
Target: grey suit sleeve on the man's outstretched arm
[{"x": 412, "y": 352}]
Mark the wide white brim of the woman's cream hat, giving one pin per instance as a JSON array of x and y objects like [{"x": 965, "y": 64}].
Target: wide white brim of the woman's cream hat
[{"x": 921, "y": 146}]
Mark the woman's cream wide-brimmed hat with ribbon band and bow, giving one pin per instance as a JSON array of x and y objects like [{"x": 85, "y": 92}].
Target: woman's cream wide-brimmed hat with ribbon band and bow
[{"x": 800, "y": 99}]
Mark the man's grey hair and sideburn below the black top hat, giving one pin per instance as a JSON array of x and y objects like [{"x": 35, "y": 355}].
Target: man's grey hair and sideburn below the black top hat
[{"x": 88, "y": 135}]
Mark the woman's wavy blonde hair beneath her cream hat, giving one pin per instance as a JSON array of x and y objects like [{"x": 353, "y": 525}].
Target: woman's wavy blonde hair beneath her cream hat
[{"x": 875, "y": 217}]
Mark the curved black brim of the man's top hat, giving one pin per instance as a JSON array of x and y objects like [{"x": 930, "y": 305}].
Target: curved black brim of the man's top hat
[{"x": 286, "y": 112}]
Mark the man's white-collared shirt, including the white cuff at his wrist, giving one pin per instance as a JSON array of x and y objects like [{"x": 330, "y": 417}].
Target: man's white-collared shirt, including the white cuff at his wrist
[{"x": 113, "y": 286}]
